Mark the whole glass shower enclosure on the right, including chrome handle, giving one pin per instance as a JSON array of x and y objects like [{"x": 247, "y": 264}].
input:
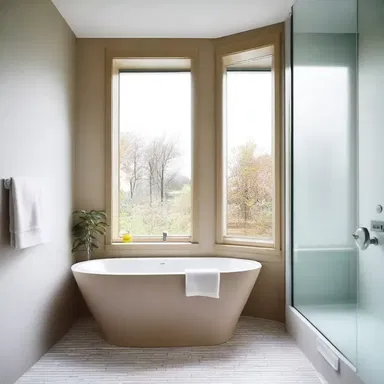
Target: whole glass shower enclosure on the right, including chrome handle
[{"x": 337, "y": 179}]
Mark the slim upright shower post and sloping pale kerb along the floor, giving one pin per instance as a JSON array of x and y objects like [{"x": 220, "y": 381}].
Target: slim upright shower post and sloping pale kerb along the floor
[{"x": 304, "y": 333}]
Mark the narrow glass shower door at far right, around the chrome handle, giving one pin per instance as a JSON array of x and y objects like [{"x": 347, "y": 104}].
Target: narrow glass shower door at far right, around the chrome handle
[{"x": 370, "y": 361}]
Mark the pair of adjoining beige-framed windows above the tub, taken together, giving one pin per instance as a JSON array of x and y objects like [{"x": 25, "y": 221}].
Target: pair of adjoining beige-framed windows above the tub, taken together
[{"x": 193, "y": 146}]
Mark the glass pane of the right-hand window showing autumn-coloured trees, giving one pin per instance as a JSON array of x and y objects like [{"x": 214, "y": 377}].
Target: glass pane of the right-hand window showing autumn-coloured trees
[{"x": 249, "y": 154}]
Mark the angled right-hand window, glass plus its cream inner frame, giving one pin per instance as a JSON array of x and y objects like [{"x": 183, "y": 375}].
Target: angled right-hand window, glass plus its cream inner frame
[{"x": 249, "y": 166}]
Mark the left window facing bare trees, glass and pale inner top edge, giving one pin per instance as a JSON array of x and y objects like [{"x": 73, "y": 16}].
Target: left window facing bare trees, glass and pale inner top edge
[{"x": 153, "y": 151}]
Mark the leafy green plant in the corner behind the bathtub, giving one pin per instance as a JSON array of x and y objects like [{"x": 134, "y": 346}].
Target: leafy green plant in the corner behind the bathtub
[{"x": 87, "y": 226}]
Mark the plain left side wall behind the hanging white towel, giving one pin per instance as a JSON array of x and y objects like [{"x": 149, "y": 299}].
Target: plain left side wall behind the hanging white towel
[{"x": 37, "y": 93}]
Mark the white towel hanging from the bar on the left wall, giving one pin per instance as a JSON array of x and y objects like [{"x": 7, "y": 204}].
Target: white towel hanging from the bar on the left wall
[{"x": 25, "y": 210}]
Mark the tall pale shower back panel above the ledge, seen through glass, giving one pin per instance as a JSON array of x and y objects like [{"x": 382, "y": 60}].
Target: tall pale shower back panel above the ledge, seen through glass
[{"x": 324, "y": 128}]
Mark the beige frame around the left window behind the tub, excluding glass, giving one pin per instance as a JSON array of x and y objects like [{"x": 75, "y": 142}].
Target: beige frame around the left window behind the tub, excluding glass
[{"x": 158, "y": 60}]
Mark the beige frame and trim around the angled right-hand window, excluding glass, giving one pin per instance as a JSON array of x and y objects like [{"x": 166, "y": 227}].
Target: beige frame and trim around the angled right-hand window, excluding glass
[{"x": 231, "y": 50}]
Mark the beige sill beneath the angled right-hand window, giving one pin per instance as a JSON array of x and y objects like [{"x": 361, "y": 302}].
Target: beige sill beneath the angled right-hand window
[{"x": 248, "y": 252}]
